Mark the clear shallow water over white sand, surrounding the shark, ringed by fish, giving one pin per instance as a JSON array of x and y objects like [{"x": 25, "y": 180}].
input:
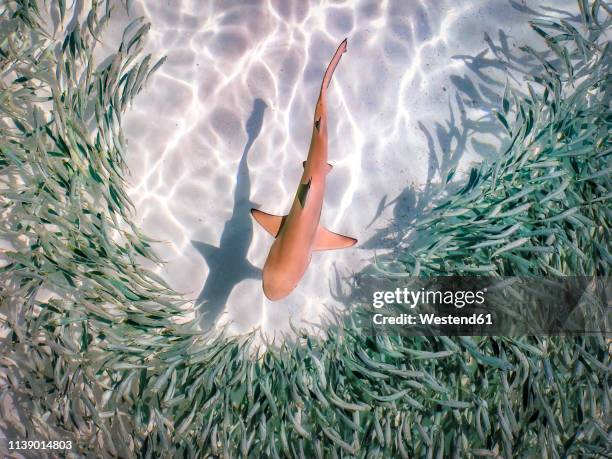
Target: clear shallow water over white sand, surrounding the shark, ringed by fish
[{"x": 225, "y": 125}]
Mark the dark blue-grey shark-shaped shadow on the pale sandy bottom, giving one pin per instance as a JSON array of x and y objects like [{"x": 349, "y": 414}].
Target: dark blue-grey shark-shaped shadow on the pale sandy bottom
[{"x": 228, "y": 264}]
